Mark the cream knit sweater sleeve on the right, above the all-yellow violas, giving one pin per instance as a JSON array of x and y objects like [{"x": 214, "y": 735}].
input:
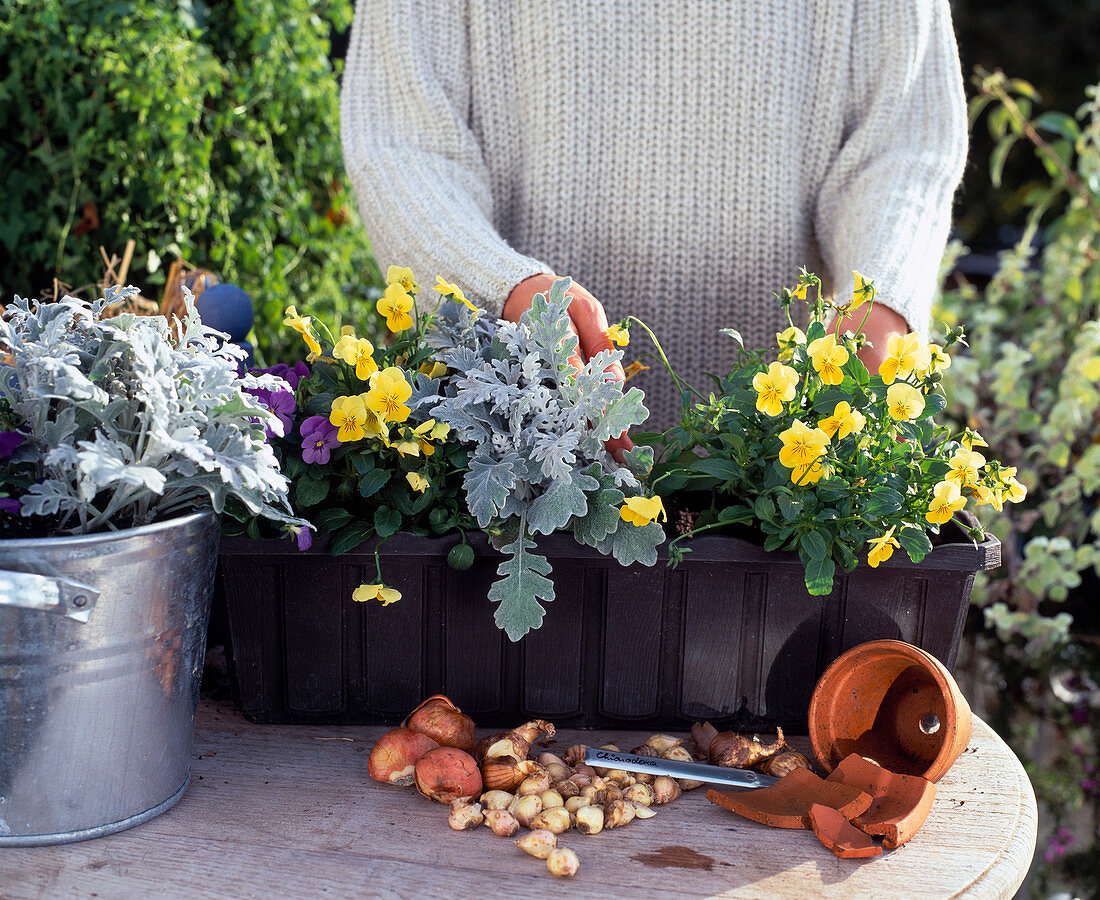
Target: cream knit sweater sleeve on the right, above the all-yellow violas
[{"x": 886, "y": 204}]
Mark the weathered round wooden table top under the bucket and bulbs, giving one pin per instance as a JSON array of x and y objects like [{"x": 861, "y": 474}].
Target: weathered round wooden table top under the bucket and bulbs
[{"x": 279, "y": 811}]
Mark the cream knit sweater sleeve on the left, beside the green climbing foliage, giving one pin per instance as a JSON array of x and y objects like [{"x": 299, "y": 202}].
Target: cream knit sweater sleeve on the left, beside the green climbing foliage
[{"x": 420, "y": 177}]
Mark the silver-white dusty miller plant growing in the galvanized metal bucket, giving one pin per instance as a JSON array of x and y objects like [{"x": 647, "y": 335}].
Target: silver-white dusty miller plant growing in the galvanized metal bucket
[{"x": 120, "y": 423}]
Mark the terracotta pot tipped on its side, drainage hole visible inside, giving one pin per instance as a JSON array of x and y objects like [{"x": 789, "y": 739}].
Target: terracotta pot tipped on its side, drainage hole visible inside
[{"x": 894, "y": 704}]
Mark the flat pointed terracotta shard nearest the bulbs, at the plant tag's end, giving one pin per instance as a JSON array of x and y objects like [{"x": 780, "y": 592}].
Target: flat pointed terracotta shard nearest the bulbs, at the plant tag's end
[{"x": 787, "y": 804}]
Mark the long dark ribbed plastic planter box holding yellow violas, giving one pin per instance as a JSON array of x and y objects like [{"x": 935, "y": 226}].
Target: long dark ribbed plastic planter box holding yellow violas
[{"x": 731, "y": 635}]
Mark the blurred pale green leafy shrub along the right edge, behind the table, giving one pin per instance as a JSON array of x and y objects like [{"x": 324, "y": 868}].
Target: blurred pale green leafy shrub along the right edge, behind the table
[{"x": 1030, "y": 383}]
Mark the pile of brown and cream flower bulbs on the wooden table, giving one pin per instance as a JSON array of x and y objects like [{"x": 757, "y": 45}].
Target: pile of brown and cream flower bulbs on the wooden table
[{"x": 496, "y": 783}]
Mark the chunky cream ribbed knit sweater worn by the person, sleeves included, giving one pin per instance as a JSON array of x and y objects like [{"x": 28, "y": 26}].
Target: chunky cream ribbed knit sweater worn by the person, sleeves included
[{"x": 680, "y": 159}]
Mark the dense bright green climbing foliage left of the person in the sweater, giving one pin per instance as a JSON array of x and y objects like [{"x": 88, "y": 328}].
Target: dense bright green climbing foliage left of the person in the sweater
[{"x": 202, "y": 130}]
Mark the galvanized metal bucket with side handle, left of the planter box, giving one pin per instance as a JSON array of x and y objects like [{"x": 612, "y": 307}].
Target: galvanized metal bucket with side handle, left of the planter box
[{"x": 102, "y": 647}]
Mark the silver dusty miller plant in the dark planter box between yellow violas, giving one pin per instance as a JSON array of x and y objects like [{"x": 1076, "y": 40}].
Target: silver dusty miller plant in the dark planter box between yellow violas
[{"x": 536, "y": 432}]
